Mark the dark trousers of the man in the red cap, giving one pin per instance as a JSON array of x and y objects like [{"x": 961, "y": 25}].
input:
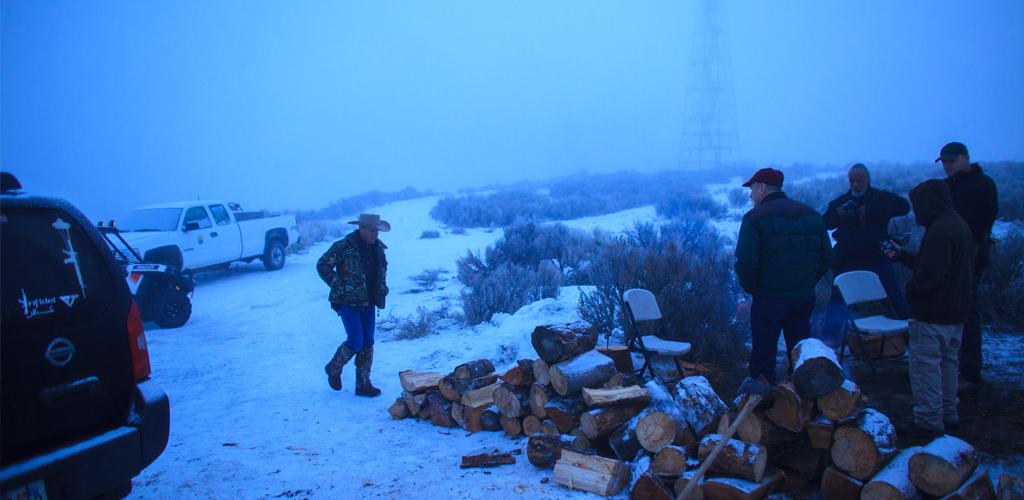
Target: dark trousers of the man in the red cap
[{"x": 769, "y": 318}]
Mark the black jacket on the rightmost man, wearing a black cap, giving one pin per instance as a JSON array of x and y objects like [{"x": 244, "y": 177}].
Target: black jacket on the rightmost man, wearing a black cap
[{"x": 976, "y": 200}]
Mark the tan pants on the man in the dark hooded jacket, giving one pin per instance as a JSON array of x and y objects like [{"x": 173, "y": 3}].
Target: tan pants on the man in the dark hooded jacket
[{"x": 934, "y": 373}]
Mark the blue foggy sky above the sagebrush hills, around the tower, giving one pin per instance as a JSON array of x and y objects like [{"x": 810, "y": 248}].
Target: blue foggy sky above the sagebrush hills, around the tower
[{"x": 293, "y": 105}]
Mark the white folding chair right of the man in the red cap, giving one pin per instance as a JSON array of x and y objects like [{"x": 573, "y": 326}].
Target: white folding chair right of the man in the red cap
[{"x": 871, "y": 320}]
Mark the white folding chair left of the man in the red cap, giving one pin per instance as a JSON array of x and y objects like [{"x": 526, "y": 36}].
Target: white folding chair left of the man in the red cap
[{"x": 642, "y": 306}]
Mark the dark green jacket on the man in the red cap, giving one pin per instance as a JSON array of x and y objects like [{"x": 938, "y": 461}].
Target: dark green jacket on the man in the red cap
[{"x": 783, "y": 249}]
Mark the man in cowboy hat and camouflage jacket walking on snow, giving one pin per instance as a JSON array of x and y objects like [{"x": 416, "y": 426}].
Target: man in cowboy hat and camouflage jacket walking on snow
[{"x": 356, "y": 270}]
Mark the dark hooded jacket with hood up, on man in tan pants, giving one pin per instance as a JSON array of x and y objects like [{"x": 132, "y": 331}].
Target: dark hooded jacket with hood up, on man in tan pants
[{"x": 941, "y": 289}]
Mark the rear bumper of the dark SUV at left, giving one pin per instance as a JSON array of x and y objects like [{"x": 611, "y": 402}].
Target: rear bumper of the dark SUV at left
[{"x": 104, "y": 463}]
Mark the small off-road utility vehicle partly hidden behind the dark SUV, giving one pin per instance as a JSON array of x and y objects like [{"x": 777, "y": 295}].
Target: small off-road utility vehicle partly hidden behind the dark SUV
[{"x": 162, "y": 293}]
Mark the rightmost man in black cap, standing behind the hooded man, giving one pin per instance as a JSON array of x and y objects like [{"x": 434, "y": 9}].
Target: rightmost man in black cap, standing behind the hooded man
[{"x": 976, "y": 200}]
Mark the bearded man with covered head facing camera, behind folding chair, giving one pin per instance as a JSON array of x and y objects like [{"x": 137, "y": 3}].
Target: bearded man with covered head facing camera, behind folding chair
[{"x": 861, "y": 218}]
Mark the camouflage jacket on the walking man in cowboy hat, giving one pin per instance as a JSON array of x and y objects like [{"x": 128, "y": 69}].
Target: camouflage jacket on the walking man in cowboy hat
[{"x": 344, "y": 268}]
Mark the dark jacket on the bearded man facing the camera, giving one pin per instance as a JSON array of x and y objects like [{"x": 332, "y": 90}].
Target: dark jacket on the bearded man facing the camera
[{"x": 860, "y": 240}]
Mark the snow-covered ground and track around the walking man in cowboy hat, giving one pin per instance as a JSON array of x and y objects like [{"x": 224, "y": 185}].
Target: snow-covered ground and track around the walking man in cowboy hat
[{"x": 251, "y": 412}]
